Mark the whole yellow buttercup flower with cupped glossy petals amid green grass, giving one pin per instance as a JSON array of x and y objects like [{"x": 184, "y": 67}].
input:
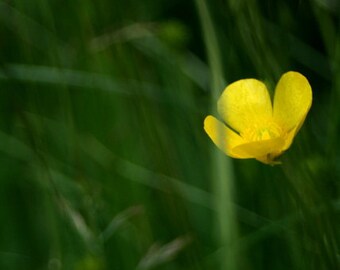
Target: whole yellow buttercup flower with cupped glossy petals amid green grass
[{"x": 252, "y": 127}]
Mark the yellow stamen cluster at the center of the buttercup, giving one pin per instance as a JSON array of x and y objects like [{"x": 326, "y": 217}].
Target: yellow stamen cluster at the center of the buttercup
[{"x": 264, "y": 132}]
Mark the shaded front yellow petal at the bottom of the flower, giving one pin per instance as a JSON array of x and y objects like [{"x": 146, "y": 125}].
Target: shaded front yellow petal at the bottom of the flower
[{"x": 257, "y": 149}]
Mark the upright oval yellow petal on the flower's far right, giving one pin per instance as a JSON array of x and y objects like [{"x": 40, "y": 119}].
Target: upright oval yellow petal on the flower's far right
[{"x": 292, "y": 100}]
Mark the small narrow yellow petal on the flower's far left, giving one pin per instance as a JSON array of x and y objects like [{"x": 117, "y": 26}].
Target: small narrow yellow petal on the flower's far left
[{"x": 222, "y": 136}]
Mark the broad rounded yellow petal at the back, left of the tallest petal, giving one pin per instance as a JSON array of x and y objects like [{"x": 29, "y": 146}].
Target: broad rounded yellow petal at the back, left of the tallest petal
[{"x": 245, "y": 102}]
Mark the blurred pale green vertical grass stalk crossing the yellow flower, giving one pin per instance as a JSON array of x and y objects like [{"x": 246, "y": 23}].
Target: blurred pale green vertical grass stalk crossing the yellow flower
[{"x": 222, "y": 170}]
